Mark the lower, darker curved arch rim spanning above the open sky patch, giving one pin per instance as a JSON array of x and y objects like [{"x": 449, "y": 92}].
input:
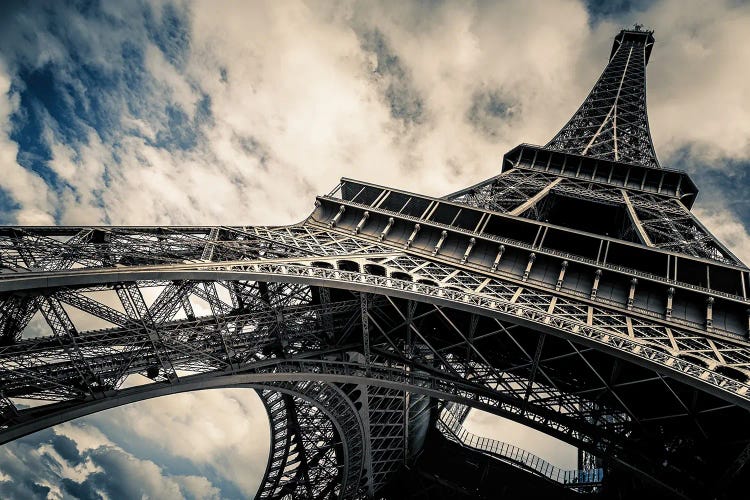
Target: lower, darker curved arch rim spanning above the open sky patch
[{"x": 565, "y": 428}]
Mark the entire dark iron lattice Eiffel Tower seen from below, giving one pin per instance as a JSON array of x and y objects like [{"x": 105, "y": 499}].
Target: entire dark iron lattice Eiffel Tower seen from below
[{"x": 573, "y": 293}]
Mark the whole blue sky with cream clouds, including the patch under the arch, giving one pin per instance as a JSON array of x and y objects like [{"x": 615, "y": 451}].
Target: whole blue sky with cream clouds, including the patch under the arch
[{"x": 239, "y": 113}]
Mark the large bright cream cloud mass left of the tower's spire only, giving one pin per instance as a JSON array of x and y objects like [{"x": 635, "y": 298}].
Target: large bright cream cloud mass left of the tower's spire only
[{"x": 301, "y": 106}]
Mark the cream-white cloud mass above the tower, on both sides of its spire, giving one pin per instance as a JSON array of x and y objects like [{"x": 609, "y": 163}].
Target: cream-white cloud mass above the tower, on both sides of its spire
[{"x": 295, "y": 102}]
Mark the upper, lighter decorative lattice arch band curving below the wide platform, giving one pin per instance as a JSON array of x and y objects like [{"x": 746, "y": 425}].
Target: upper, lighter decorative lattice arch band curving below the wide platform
[{"x": 621, "y": 346}]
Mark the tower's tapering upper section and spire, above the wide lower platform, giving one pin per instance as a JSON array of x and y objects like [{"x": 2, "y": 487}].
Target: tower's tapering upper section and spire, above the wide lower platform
[{"x": 600, "y": 173}]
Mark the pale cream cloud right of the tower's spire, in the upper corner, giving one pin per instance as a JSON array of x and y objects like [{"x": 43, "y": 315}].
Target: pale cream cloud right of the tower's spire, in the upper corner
[{"x": 698, "y": 87}]
